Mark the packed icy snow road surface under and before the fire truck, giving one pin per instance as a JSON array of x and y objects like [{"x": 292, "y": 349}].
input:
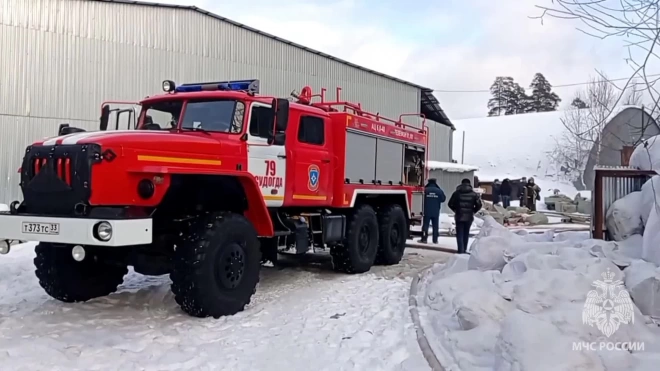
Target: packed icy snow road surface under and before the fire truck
[{"x": 303, "y": 317}]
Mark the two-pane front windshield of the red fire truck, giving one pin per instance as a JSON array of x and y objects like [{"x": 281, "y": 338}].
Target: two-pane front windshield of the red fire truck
[{"x": 224, "y": 116}]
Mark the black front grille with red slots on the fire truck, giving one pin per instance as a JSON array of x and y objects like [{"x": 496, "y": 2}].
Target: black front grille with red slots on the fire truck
[{"x": 55, "y": 179}]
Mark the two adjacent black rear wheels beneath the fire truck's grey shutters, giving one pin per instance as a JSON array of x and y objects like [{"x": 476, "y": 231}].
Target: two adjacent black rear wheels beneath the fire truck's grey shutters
[{"x": 371, "y": 239}]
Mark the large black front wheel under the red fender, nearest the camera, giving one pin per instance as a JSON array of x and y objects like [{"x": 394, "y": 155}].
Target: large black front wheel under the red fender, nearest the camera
[{"x": 216, "y": 268}]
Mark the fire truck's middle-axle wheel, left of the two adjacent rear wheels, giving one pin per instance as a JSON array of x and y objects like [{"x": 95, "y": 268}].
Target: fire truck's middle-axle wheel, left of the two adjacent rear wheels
[{"x": 358, "y": 252}]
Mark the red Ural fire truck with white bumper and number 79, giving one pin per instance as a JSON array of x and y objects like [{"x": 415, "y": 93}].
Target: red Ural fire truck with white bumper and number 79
[{"x": 208, "y": 181}]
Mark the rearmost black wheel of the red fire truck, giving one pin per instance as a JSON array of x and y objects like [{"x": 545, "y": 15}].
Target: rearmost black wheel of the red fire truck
[{"x": 393, "y": 235}]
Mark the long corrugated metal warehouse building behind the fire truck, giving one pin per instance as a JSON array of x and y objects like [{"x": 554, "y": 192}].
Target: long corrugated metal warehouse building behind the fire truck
[{"x": 60, "y": 59}]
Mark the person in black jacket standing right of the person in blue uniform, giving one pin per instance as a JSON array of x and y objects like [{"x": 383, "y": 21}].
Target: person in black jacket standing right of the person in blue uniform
[{"x": 464, "y": 202}]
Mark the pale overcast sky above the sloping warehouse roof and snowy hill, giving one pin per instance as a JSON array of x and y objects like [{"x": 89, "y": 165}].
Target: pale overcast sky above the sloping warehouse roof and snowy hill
[{"x": 441, "y": 44}]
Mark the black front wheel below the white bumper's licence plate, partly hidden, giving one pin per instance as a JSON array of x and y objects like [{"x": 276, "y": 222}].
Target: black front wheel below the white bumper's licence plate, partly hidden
[{"x": 70, "y": 281}]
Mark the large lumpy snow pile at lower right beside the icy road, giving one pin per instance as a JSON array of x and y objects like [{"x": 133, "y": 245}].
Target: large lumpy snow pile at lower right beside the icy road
[{"x": 516, "y": 304}]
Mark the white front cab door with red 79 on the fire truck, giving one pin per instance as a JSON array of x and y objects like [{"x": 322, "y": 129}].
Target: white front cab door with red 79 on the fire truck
[{"x": 266, "y": 162}]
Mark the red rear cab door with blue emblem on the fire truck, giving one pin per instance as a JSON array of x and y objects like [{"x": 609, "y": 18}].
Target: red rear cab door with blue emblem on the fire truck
[{"x": 313, "y": 162}]
